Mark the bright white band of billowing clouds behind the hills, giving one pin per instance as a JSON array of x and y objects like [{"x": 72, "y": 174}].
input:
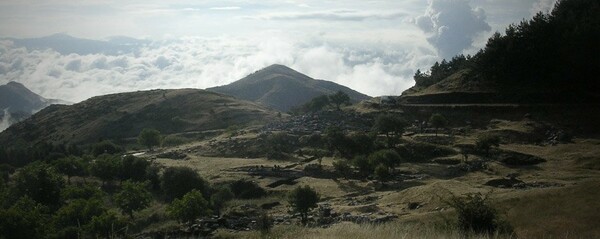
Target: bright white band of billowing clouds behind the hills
[{"x": 206, "y": 62}]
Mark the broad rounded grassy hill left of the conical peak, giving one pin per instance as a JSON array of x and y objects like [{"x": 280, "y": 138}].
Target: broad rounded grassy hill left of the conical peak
[{"x": 124, "y": 115}]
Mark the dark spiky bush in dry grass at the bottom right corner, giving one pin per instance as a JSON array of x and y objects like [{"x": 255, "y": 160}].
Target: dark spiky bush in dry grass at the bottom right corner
[{"x": 475, "y": 214}]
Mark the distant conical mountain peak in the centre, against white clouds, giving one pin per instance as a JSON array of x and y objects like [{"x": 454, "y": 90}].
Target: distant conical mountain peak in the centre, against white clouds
[{"x": 282, "y": 88}]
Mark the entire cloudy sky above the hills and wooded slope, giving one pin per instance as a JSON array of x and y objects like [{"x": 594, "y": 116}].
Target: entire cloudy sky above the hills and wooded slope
[{"x": 372, "y": 46}]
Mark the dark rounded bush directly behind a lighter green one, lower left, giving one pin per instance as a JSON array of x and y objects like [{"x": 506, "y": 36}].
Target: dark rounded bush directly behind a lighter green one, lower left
[{"x": 177, "y": 181}]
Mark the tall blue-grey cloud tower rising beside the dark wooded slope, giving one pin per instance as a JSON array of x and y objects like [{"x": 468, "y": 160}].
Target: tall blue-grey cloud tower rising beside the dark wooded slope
[{"x": 452, "y": 25}]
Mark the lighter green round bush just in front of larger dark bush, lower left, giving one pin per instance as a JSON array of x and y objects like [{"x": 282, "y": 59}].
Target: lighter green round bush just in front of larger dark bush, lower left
[{"x": 191, "y": 206}]
